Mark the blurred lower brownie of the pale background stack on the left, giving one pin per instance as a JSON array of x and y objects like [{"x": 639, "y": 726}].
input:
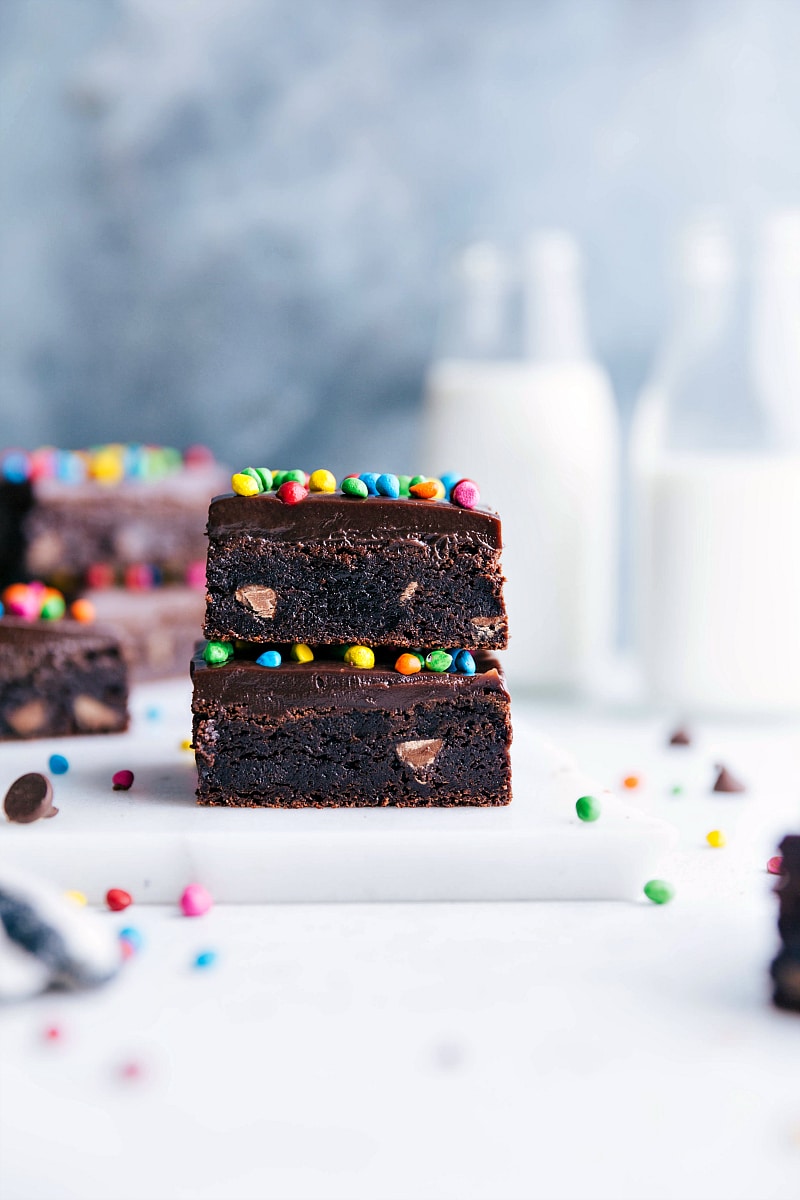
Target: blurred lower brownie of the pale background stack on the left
[{"x": 158, "y": 629}]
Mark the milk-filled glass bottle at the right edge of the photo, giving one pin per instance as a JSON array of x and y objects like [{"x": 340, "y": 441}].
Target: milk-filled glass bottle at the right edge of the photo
[{"x": 718, "y": 507}]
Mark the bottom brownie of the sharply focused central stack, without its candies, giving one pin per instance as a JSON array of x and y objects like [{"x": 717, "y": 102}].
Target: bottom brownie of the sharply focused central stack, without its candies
[{"x": 324, "y": 734}]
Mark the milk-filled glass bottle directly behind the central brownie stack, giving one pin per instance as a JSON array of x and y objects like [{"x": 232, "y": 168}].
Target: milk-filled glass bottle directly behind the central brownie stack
[{"x": 516, "y": 403}]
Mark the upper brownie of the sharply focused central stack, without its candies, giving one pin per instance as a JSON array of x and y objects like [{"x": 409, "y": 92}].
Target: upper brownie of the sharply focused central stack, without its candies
[{"x": 380, "y": 572}]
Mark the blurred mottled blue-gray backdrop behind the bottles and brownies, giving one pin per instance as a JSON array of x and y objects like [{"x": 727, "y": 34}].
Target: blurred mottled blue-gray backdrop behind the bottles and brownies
[{"x": 230, "y": 220}]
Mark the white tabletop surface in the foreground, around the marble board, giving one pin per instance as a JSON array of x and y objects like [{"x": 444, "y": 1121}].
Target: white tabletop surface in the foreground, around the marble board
[{"x": 561, "y": 1051}]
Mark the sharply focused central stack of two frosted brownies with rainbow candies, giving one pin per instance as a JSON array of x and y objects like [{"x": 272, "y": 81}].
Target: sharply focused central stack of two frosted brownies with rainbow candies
[{"x": 351, "y": 646}]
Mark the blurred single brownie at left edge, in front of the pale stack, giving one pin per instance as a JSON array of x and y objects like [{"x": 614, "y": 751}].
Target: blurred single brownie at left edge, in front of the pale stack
[{"x": 61, "y": 679}]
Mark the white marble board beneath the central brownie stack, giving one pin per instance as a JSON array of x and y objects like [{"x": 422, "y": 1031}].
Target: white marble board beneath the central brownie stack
[{"x": 154, "y": 839}]
